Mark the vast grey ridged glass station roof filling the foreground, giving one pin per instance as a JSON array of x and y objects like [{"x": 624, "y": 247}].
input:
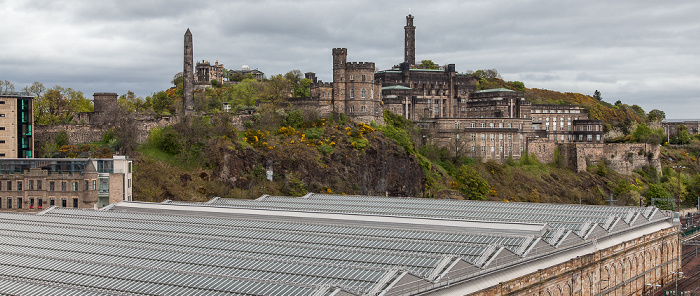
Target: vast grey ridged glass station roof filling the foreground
[{"x": 318, "y": 244}]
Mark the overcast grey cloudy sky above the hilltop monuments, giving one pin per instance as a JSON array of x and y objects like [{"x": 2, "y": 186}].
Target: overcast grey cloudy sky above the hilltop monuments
[{"x": 638, "y": 51}]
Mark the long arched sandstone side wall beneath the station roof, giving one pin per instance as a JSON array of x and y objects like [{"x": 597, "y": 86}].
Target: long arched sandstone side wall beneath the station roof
[{"x": 623, "y": 269}]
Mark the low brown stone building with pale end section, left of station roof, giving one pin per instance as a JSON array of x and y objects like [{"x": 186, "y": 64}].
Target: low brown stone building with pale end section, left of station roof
[{"x": 36, "y": 183}]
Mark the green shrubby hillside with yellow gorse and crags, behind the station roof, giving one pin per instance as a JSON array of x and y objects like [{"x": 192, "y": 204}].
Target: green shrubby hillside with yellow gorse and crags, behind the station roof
[{"x": 203, "y": 158}]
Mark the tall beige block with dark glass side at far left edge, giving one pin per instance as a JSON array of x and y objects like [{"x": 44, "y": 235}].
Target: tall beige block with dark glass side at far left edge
[{"x": 16, "y": 123}]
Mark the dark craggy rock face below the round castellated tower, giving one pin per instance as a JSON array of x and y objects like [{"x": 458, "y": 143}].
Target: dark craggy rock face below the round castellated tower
[{"x": 381, "y": 168}]
